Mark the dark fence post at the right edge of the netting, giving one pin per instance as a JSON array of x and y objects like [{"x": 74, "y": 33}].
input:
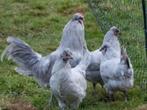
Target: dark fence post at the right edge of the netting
[{"x": 145, "y": 22}]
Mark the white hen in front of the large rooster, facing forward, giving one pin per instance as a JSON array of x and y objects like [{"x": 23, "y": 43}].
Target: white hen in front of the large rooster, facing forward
[{"x": 68, "y": 84}]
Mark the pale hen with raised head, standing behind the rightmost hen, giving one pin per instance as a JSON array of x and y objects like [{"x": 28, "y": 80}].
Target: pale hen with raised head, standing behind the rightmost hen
[{"x": 97, "y": 56}]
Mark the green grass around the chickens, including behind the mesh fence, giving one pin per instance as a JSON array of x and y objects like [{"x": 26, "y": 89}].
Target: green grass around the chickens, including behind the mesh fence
[{"x": 40, "y": 24}]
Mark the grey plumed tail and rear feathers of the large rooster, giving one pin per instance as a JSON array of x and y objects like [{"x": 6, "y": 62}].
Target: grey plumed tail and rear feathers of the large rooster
[{"x": 30, "y": 63}]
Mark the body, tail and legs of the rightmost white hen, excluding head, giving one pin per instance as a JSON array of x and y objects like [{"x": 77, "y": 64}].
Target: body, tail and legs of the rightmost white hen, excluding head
[{"x": 117, "y": 74}]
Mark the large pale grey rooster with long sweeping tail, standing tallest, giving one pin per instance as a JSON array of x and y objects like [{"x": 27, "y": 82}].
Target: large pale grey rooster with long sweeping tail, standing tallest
[{"x": 31, "y": 63}]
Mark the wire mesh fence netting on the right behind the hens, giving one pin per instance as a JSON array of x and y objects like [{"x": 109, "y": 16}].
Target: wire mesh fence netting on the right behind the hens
[{"x": 128, "y": 16}]
